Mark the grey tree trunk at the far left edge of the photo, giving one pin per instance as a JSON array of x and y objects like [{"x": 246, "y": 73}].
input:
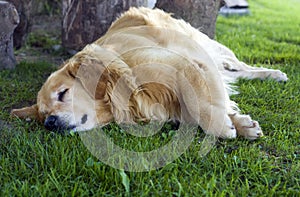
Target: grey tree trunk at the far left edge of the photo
[{"x": 9, "y": 19}]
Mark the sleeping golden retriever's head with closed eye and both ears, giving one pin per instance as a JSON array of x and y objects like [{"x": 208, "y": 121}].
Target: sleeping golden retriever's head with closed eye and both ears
[{"x": 73, "y": 97}]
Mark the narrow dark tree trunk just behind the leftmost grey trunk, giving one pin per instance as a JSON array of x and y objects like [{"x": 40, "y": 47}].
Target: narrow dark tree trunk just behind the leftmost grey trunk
[{"x": 24, "y": 9}]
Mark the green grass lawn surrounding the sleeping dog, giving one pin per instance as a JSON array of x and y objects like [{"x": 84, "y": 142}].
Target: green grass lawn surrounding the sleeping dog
[{"x": 34, "y": 162}]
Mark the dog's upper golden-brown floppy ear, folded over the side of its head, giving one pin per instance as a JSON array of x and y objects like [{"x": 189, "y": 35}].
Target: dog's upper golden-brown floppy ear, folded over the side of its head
[{"x": 93, "y": 76}]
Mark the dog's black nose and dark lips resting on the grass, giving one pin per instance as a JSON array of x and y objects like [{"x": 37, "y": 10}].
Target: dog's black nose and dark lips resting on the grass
[{"x": 54, "y": 123}]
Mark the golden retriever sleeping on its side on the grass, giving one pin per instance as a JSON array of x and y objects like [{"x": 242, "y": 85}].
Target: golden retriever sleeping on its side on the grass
[{"x": 148, "y": 67}]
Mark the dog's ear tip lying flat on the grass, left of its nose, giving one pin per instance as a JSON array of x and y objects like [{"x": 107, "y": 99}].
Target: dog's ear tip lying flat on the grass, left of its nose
[{"x": 26, "y": 112}]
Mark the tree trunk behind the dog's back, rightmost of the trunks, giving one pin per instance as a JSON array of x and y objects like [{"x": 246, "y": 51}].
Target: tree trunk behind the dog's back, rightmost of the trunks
[{"x": 200, "y": 14}]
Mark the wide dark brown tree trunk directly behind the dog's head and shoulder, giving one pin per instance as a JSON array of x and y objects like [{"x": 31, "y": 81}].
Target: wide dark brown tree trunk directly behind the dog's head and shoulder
[{"x": 84, "y": 21}]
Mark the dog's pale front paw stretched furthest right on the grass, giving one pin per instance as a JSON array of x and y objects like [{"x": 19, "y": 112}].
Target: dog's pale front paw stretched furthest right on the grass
[{"x": 247, "y": 127}]
